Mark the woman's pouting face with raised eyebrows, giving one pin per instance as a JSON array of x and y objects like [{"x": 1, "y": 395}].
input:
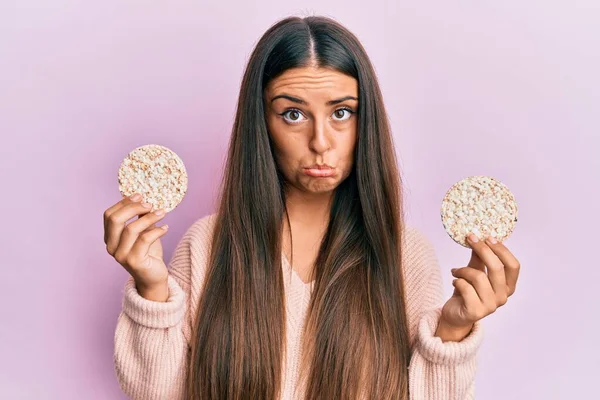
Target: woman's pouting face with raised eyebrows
[{"x": 311, "y": 116}]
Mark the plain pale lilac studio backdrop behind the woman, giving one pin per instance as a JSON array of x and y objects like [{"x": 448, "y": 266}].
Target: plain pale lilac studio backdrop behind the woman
[{"x": 508, "y": 89}]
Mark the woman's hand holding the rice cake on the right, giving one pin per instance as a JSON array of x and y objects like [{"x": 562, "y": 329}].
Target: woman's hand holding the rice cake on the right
[{"x": 478, "y": 294}]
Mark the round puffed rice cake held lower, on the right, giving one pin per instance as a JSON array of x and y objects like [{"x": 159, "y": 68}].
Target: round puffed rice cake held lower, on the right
[{"x": 478, "y": 204}]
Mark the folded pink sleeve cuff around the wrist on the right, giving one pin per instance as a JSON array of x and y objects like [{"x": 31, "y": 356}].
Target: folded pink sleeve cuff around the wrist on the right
[{"x": 449, "y": 353}]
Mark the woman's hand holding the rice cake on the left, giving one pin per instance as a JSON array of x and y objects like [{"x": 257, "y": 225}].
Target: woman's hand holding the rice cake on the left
[{"x": 137, "y": 247}]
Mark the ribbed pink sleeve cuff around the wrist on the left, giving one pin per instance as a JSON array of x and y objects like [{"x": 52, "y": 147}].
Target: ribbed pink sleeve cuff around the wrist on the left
[{"x": 154, "y": 314}]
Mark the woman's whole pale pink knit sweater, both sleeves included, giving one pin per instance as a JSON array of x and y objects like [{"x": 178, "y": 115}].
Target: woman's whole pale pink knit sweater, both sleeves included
[{"x": 152, "y": 338}]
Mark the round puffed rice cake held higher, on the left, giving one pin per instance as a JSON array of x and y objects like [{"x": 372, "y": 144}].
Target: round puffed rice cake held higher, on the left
[{"x": 155, "y": 172}]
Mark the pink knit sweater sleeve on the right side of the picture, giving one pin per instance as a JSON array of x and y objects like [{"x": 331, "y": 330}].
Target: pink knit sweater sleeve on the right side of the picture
[{"x": 438, "y": 370}]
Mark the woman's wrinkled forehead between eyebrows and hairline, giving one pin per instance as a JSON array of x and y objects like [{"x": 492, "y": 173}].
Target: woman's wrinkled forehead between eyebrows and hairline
[{"x": 313, "y": 79}]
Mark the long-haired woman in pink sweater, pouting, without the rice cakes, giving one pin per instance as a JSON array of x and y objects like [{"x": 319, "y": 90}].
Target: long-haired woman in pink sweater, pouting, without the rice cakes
[{"x": 351, "y": 307}]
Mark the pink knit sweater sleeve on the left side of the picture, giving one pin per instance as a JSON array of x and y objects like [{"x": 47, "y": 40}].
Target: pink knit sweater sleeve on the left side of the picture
[{"x": 151, "y": 352}]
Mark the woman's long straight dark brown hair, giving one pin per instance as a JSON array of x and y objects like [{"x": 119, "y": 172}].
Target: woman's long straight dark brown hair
[{"x": 355, "y": 339}]
